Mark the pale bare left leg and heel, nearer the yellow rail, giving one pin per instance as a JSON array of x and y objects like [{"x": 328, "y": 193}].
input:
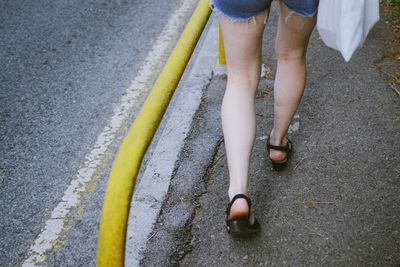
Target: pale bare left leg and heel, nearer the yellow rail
[{"x": 243, "y": 42}]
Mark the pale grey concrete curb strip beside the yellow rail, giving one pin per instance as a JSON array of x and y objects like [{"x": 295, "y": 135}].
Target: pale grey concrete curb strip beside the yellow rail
[{"x": 153, "y": 185}]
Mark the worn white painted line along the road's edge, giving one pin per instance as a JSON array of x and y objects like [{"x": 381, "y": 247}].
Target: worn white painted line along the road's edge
[{"x": 71, "y": 199}]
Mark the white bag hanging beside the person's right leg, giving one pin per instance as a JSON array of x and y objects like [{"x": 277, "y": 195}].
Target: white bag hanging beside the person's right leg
[{"x": 344, "y": 24}]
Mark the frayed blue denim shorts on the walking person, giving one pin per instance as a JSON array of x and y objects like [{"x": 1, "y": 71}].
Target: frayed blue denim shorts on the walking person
[{"x": 243, "y": 10}]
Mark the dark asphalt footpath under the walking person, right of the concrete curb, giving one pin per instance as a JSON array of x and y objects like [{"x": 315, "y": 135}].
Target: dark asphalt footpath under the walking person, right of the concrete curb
[{"x": 337, "y": 204}]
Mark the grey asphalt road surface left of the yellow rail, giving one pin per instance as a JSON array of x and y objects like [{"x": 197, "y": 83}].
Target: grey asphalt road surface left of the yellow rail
[{"x": 65, "y": 66}]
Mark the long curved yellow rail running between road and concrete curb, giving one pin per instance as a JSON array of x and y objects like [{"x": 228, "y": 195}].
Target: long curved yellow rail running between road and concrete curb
[{"x": 114, "y": 220}]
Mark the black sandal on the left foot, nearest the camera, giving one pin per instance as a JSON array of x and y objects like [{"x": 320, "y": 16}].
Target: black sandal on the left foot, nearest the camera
[{"x": 240, "y": 226}]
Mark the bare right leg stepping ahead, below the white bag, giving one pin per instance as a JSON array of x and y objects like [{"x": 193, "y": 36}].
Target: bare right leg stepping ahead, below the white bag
[{"x": 291, "y": 46}]
